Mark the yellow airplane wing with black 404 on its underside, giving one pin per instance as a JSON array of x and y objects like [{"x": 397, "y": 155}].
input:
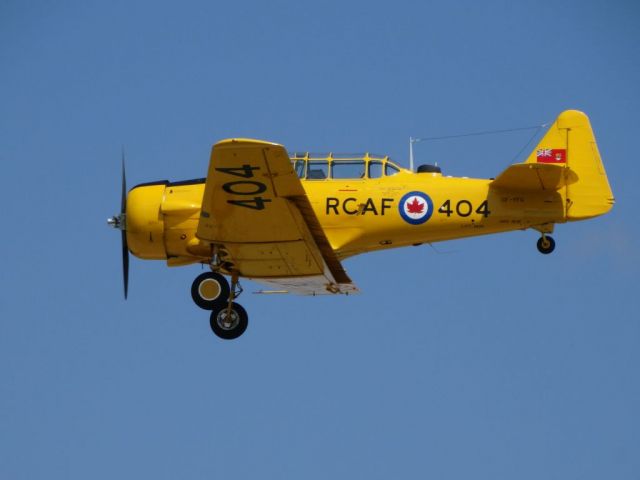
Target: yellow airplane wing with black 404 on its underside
[{"x": 256, "y": 211}]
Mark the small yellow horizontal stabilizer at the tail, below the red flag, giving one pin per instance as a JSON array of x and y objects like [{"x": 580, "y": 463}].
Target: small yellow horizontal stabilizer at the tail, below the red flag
[{"x": 535, "y": 177}]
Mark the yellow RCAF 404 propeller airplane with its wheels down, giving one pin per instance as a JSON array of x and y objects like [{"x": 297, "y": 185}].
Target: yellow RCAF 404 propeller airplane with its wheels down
[{"x": 288, "y": 222}]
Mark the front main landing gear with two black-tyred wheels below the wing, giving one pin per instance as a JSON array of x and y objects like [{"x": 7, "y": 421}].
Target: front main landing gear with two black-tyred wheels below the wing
[{"x": 211, "y": 291}]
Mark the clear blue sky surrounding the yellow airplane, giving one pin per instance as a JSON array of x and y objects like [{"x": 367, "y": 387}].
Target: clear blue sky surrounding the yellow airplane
[{"x": 477, "y": 358}]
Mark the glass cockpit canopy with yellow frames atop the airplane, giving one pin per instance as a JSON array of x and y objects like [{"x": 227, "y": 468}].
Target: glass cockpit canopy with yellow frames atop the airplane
[{"x": 317, "y": 166}]
